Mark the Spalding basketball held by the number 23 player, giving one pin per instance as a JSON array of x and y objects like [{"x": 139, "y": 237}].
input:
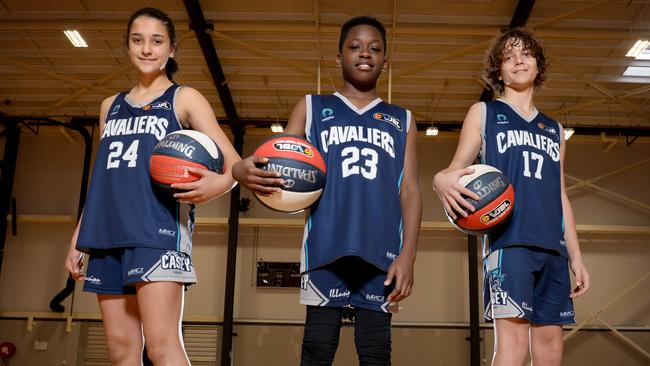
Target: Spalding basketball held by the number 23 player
[{"x": 302, "y": 168}]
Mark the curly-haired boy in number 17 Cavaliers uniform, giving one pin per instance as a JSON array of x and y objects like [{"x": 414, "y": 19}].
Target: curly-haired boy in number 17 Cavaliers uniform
[{"x": 527, "y": 289}]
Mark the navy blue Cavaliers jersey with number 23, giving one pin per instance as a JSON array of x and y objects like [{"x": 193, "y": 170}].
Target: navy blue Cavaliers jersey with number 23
[{"x": 359, "y": 212}]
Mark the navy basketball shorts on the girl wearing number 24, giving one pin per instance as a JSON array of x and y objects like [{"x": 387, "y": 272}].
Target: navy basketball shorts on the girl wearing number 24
[{"x": 114, "y": 271}]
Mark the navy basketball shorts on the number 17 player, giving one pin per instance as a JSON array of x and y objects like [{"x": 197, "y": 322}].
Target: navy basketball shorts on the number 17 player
[{"x": 529, "y": 283}]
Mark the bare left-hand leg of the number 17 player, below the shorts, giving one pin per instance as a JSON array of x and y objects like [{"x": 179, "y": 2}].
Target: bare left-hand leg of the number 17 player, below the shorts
[{"x": 511, "y": 341}]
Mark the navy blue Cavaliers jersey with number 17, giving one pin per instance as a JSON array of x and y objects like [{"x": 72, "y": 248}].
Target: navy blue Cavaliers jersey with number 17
[{"x": 527, "y": 151}]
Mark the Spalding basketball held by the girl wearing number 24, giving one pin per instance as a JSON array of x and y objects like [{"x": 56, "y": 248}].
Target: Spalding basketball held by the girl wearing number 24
[{"x": 180, "y": 150}]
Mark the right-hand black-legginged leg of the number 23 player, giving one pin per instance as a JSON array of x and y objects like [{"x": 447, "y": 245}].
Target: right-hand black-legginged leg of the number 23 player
[{"x": 372, "y": 337}]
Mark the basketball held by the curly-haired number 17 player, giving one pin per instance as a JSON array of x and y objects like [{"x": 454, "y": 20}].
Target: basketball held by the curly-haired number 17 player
[{"x": 497, "y": 199}]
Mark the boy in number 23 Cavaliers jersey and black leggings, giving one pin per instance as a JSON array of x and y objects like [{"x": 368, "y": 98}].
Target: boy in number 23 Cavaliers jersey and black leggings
[{"x": 360, "y": 237}]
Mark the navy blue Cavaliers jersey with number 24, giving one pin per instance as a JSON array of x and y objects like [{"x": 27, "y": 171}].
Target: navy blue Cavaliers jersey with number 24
[{"x": 123, "y": 208}]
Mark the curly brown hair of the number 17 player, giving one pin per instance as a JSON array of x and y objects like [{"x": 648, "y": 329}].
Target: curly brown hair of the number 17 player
[{"x": 494, "y": 57}]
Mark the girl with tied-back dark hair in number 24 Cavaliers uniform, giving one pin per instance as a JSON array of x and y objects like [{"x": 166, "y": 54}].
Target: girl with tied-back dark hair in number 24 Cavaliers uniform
[{"x": 139, "y": 241}]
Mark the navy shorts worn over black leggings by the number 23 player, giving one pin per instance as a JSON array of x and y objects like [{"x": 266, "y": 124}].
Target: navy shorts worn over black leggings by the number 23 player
[{"x": 349, "y": 281}]
